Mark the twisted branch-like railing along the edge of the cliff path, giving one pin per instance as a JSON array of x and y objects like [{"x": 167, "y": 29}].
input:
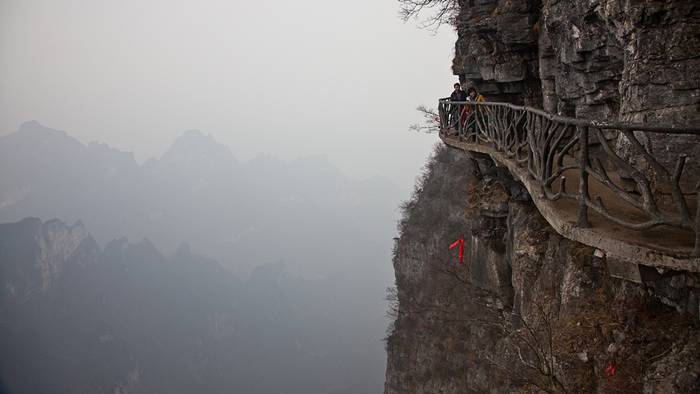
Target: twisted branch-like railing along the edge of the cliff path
[{"x": 614, "y": 172}]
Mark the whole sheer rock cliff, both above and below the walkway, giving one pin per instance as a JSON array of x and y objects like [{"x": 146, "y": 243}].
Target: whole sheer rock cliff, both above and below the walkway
[{"x": 528, "y": 310}]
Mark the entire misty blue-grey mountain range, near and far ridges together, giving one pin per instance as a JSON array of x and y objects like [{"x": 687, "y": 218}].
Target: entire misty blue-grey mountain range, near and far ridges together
[{"x": 298, "y": 307}]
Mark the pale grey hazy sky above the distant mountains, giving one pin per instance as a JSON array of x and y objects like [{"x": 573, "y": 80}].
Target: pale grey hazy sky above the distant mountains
[{"x": 288, "y": 78}]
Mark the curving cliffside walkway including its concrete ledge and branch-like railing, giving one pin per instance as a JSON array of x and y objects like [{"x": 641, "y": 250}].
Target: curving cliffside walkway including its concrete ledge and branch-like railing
[{"x": 596, "y": 183}]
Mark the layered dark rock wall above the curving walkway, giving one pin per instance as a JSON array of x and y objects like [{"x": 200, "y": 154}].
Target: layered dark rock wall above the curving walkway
[{"x": 598, "y": 59}]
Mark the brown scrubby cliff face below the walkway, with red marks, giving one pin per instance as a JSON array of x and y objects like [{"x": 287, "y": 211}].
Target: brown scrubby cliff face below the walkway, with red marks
[{"x": 528, "y": 308}]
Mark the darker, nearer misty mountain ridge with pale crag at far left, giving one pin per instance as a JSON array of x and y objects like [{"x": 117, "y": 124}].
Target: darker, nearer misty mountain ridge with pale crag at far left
[{"x": 78, "y": 318}]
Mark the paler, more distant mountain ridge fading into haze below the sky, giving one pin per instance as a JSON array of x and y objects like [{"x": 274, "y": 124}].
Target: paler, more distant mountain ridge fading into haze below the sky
[{"x": 240, "y": 213}]
